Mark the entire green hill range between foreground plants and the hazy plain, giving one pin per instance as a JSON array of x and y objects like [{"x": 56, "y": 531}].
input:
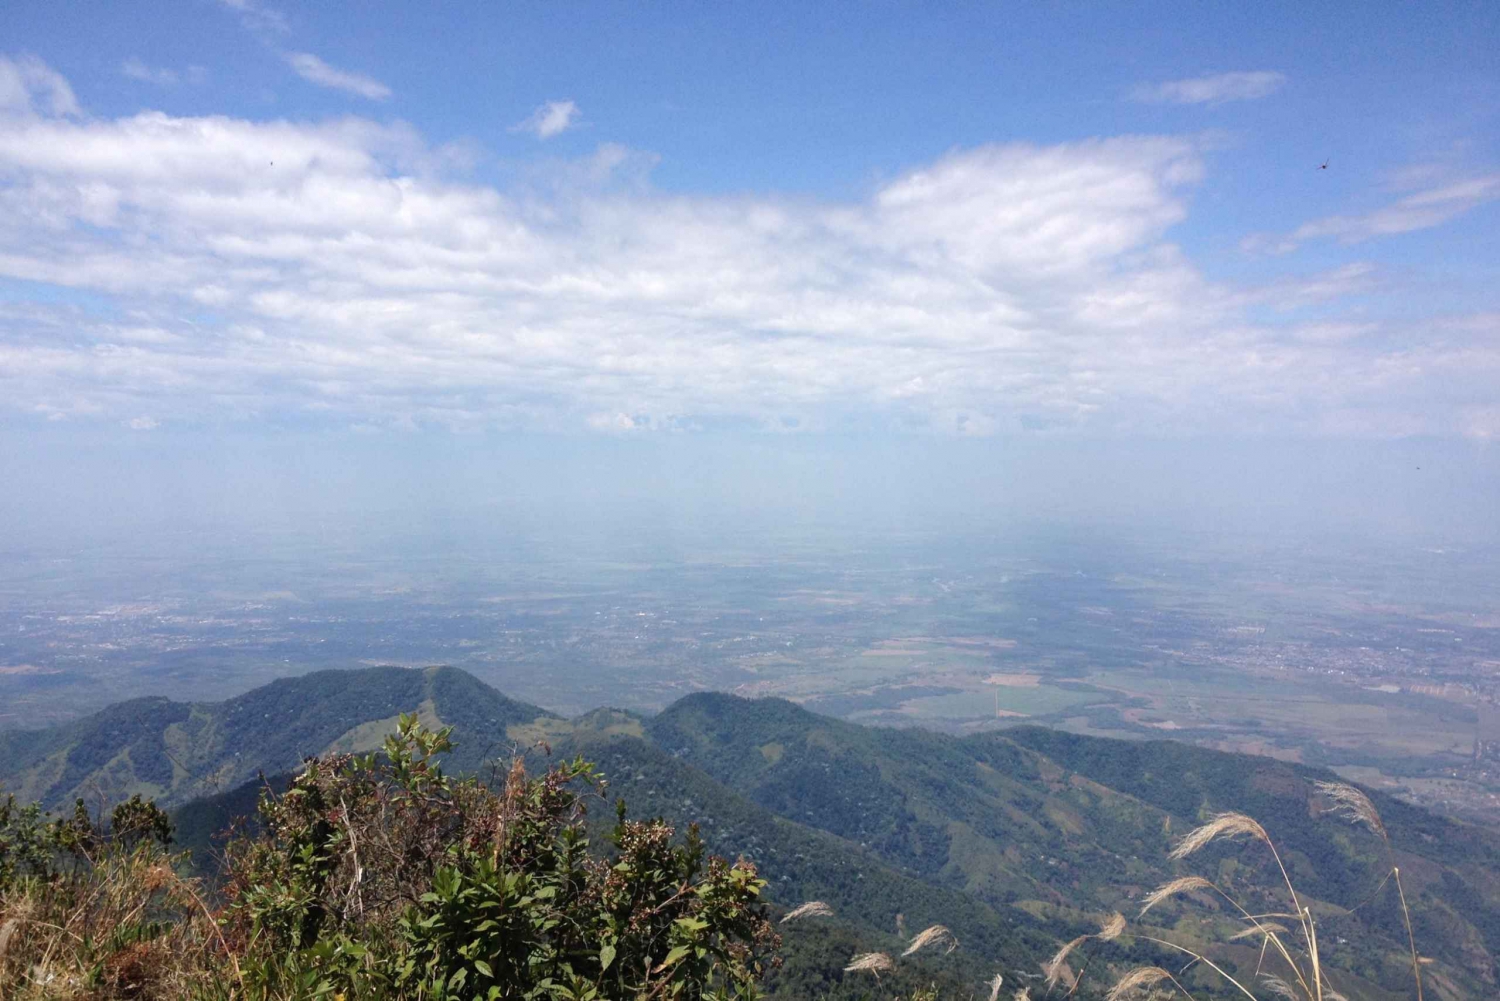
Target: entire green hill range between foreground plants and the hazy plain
[{"x": 1015, "y": 840}]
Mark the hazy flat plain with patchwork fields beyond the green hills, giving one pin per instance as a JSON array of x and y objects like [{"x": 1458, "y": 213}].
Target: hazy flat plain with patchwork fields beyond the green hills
[{"x": 1384, "y": 664}]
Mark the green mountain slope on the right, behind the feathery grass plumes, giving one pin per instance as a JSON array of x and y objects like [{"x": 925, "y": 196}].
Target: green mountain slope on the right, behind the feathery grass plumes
[{"x": 1067, "y": 828}]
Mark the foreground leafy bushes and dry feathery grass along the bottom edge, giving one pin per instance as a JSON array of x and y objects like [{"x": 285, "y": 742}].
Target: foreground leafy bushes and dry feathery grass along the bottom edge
[{"x": 382, "y": 877}]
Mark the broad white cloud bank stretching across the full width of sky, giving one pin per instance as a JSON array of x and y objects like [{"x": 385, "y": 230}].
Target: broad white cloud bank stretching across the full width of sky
[{"x": 992, "y": 290}]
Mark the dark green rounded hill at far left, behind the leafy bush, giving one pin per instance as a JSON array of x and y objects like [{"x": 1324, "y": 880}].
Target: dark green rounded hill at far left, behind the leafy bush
[{"x": 179, "y": 751}]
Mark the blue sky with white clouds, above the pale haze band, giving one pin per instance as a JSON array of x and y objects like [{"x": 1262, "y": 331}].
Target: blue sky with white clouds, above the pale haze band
[{"x": 1085, "y": 220}]
